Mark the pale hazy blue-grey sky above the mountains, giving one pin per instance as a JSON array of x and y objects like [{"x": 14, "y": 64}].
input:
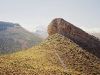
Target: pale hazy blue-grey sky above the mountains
[{"x": 33, "y": 14}]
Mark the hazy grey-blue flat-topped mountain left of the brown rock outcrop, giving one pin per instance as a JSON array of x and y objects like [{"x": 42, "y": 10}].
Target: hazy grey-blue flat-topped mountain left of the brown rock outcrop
[{"x": 13, "y": 37}]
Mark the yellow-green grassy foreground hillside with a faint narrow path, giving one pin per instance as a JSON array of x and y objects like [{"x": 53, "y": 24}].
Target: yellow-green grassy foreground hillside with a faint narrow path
[{"x": 43, "y": 60}]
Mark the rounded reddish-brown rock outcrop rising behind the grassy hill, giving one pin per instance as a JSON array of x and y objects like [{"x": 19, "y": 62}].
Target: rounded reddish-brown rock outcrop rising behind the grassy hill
[{"x": 83, "y": 39}]
